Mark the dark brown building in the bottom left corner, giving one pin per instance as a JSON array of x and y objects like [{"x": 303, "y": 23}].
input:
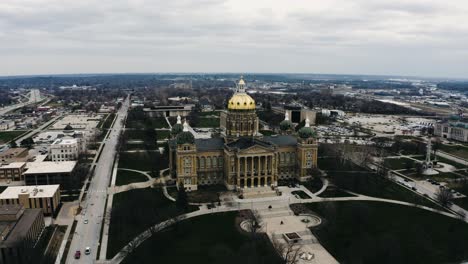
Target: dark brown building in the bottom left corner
[{"x": 20, "y": 229}]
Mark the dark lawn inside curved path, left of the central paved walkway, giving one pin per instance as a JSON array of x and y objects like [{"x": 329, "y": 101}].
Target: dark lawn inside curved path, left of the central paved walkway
[{"x": 208, "y": 239}]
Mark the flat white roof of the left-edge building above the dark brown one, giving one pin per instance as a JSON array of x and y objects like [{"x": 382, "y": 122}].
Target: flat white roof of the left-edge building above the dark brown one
[{"x": 39, "y": 191}]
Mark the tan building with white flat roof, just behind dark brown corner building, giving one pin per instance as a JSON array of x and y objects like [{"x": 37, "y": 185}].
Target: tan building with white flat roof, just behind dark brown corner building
[{"x": 45, "y": 197}]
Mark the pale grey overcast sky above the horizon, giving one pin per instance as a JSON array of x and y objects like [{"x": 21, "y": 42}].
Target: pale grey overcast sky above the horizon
[{"x": 397, "y": 37}]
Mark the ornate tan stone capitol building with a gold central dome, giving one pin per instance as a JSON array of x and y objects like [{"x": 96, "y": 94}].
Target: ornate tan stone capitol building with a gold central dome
[{"x": 242, "y": 158}]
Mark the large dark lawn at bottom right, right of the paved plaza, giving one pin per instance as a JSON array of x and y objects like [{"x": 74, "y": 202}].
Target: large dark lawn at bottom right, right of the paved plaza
[{"x": 375, "y": 232}]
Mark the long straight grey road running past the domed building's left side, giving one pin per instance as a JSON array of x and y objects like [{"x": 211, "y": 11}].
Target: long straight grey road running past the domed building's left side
[{"x": 87, "y": 235}]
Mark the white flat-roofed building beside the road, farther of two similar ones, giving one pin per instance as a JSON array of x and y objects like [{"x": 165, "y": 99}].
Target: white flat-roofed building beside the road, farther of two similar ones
[{"x": 49, "y": 172}]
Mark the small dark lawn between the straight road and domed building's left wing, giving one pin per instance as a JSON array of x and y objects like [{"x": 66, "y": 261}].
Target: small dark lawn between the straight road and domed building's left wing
[{"x": 145, "y": 161}]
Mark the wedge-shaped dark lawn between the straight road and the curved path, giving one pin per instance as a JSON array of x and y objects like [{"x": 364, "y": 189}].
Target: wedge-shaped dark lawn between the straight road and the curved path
[{"x": 134, "y": 211}]
